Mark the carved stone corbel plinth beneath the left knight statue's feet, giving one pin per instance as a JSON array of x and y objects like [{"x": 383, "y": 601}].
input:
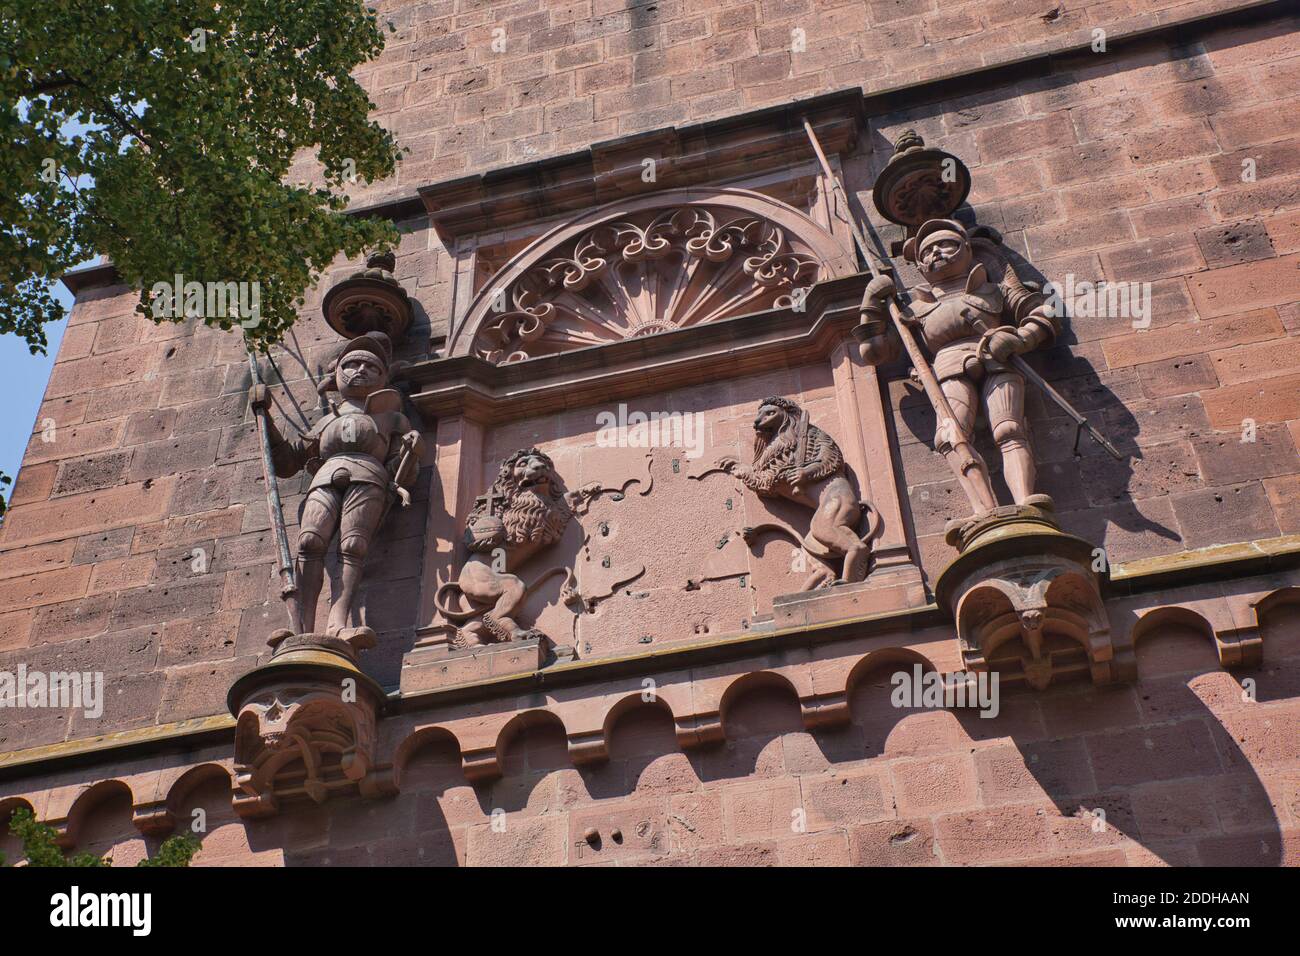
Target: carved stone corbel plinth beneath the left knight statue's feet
[{"x": 306, "y": 726}]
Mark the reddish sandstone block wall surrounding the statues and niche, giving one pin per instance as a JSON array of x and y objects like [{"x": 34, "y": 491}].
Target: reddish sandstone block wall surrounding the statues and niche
[{"x": 1125, "y": 167}]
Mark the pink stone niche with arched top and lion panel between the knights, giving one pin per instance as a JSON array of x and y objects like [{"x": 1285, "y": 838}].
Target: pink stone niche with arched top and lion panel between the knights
[{"x": 632, "y": 347}]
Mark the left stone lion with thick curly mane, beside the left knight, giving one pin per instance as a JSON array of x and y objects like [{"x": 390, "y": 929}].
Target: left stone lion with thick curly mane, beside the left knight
[{"x": 525, "y": 512}]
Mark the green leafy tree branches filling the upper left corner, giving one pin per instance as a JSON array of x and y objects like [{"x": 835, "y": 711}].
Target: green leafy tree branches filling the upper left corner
[{"x": 162, "y": 133}]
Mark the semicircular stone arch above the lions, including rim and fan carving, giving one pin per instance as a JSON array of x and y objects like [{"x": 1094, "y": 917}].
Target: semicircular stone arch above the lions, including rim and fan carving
[{"x": 645, "y": 266}]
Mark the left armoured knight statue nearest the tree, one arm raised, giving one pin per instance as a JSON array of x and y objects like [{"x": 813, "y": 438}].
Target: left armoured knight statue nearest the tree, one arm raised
[{"x": 362, "y": 456}]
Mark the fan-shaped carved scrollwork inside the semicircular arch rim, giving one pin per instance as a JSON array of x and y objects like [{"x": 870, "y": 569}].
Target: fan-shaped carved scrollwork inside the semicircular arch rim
[{"x": 665, "y": 271}]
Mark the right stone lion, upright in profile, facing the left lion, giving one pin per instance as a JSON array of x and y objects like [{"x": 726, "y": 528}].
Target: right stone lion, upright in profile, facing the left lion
[{"x": 800, "y": 462}]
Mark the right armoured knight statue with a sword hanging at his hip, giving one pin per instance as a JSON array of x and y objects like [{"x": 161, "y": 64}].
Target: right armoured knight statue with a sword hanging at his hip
[{"x": 974, "y": 315}]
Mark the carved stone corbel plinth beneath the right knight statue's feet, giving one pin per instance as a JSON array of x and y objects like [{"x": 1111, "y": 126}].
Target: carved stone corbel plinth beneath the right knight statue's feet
[{"x": 1028, "y": 602}]
